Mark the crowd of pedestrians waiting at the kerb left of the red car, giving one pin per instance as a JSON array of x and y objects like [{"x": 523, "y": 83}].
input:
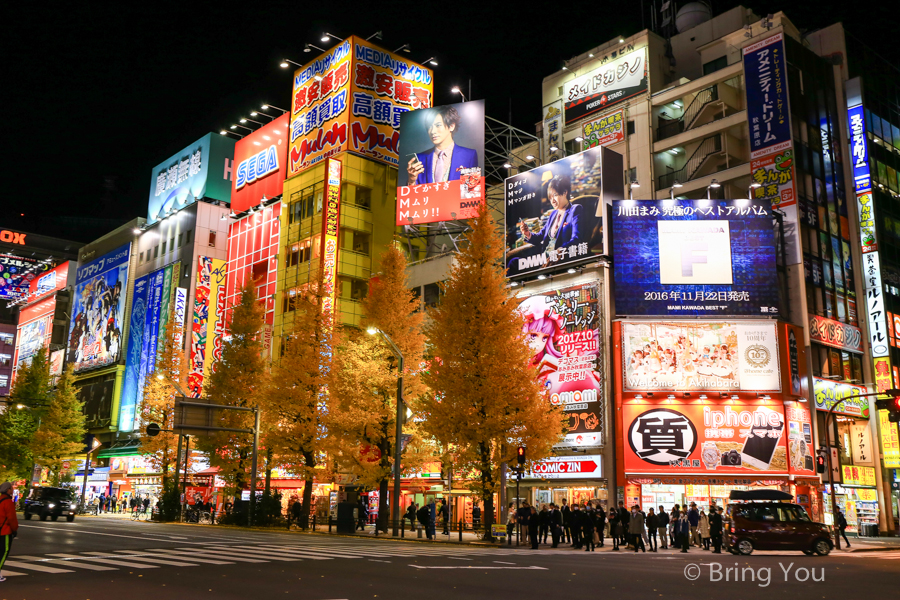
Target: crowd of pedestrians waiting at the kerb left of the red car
[{"x": 586, "y": 526}]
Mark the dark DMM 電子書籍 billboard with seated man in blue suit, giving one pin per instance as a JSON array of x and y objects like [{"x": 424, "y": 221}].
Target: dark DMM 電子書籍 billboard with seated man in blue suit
[{"x": 553, "y": 212}]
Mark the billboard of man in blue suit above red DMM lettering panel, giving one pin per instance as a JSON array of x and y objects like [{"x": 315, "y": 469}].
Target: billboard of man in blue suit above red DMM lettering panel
[{"x": 441, "y": 177}]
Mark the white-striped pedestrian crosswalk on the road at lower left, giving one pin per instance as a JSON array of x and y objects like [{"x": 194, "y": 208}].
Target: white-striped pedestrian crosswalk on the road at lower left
[{"x": 222, "y": 554}]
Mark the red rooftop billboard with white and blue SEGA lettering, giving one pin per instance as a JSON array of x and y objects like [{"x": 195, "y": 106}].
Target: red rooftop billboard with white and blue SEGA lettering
[{"x": 260, "y": 160}]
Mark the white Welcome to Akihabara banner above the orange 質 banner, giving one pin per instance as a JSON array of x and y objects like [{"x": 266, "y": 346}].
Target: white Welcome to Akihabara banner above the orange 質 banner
[{"x": 701, "y": 356}]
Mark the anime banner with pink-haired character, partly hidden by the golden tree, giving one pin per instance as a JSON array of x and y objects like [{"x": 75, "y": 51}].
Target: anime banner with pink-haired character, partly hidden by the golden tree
[{"x": 563, "y": 329}]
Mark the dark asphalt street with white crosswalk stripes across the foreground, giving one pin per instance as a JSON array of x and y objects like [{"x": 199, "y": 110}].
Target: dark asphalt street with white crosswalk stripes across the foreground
[{"x": 108, "y": 558}]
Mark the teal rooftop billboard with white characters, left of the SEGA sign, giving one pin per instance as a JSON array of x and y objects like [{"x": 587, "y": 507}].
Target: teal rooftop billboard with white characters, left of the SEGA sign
[{"x": 201, "y": 170}]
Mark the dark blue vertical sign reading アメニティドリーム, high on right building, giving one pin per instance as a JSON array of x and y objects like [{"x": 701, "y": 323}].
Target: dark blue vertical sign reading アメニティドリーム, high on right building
[{"x": 768, "y": 110}]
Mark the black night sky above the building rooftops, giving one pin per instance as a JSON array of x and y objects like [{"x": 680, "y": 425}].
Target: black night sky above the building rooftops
[{"x": 96, "y": 94}]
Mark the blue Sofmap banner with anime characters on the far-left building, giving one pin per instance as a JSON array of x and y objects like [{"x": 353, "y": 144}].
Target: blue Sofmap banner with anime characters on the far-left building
[{"x": 98, "y": 307}]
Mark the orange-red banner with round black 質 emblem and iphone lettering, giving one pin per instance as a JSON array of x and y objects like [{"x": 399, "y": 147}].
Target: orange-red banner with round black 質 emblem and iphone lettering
[{"x": 737, "y": 438}]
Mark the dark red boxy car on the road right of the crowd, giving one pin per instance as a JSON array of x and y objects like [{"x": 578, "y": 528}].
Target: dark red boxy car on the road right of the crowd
[{"x": 768, "y": 520}]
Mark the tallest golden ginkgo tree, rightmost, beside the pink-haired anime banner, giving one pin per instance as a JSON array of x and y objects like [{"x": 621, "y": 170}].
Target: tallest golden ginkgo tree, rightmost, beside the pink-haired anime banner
[{"x": 487, "y": 401}]
